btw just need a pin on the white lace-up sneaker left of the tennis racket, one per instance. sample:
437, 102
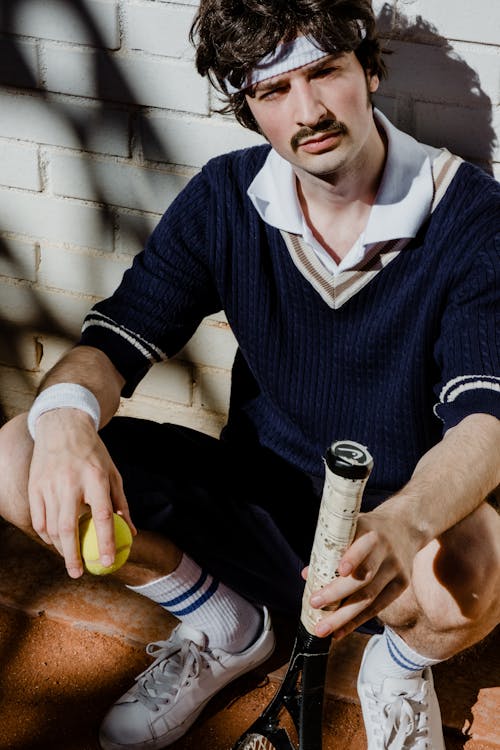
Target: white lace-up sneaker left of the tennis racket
169, 696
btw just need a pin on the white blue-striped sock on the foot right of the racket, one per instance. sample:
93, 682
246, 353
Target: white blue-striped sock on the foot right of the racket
392, 657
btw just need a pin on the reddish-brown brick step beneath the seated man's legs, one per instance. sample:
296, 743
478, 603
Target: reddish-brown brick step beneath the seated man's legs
468, 686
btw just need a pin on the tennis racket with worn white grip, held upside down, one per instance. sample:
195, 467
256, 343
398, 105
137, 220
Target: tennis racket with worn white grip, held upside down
293, 718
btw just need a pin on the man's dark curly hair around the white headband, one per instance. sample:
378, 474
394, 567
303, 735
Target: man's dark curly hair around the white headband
231, 36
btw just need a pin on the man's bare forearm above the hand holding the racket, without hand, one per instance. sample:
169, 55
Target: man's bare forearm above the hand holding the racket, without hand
452, 479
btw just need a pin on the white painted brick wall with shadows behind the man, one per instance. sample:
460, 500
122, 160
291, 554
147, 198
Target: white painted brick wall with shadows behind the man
103, 119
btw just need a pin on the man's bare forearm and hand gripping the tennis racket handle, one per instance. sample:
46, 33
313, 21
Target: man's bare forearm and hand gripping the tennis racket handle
450, 481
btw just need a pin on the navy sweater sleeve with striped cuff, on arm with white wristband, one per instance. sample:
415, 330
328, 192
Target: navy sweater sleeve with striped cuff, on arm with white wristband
165, 294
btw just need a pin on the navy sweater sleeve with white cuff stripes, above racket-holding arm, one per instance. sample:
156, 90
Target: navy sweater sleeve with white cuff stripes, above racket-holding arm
468, 349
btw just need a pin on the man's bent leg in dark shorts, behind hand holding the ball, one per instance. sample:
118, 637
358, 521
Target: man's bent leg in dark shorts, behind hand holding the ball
191, 495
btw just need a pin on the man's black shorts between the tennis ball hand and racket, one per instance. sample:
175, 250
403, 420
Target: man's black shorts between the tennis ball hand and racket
246, 516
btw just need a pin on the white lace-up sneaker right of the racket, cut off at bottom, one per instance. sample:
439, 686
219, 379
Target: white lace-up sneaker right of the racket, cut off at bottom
403, 714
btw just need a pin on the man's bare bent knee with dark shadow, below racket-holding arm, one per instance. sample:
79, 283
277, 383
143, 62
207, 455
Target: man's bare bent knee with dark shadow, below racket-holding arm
453, 600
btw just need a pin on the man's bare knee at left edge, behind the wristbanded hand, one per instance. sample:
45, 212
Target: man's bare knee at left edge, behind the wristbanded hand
16, 449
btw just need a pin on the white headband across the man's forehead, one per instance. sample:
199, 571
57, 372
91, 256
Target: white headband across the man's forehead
289, 56
